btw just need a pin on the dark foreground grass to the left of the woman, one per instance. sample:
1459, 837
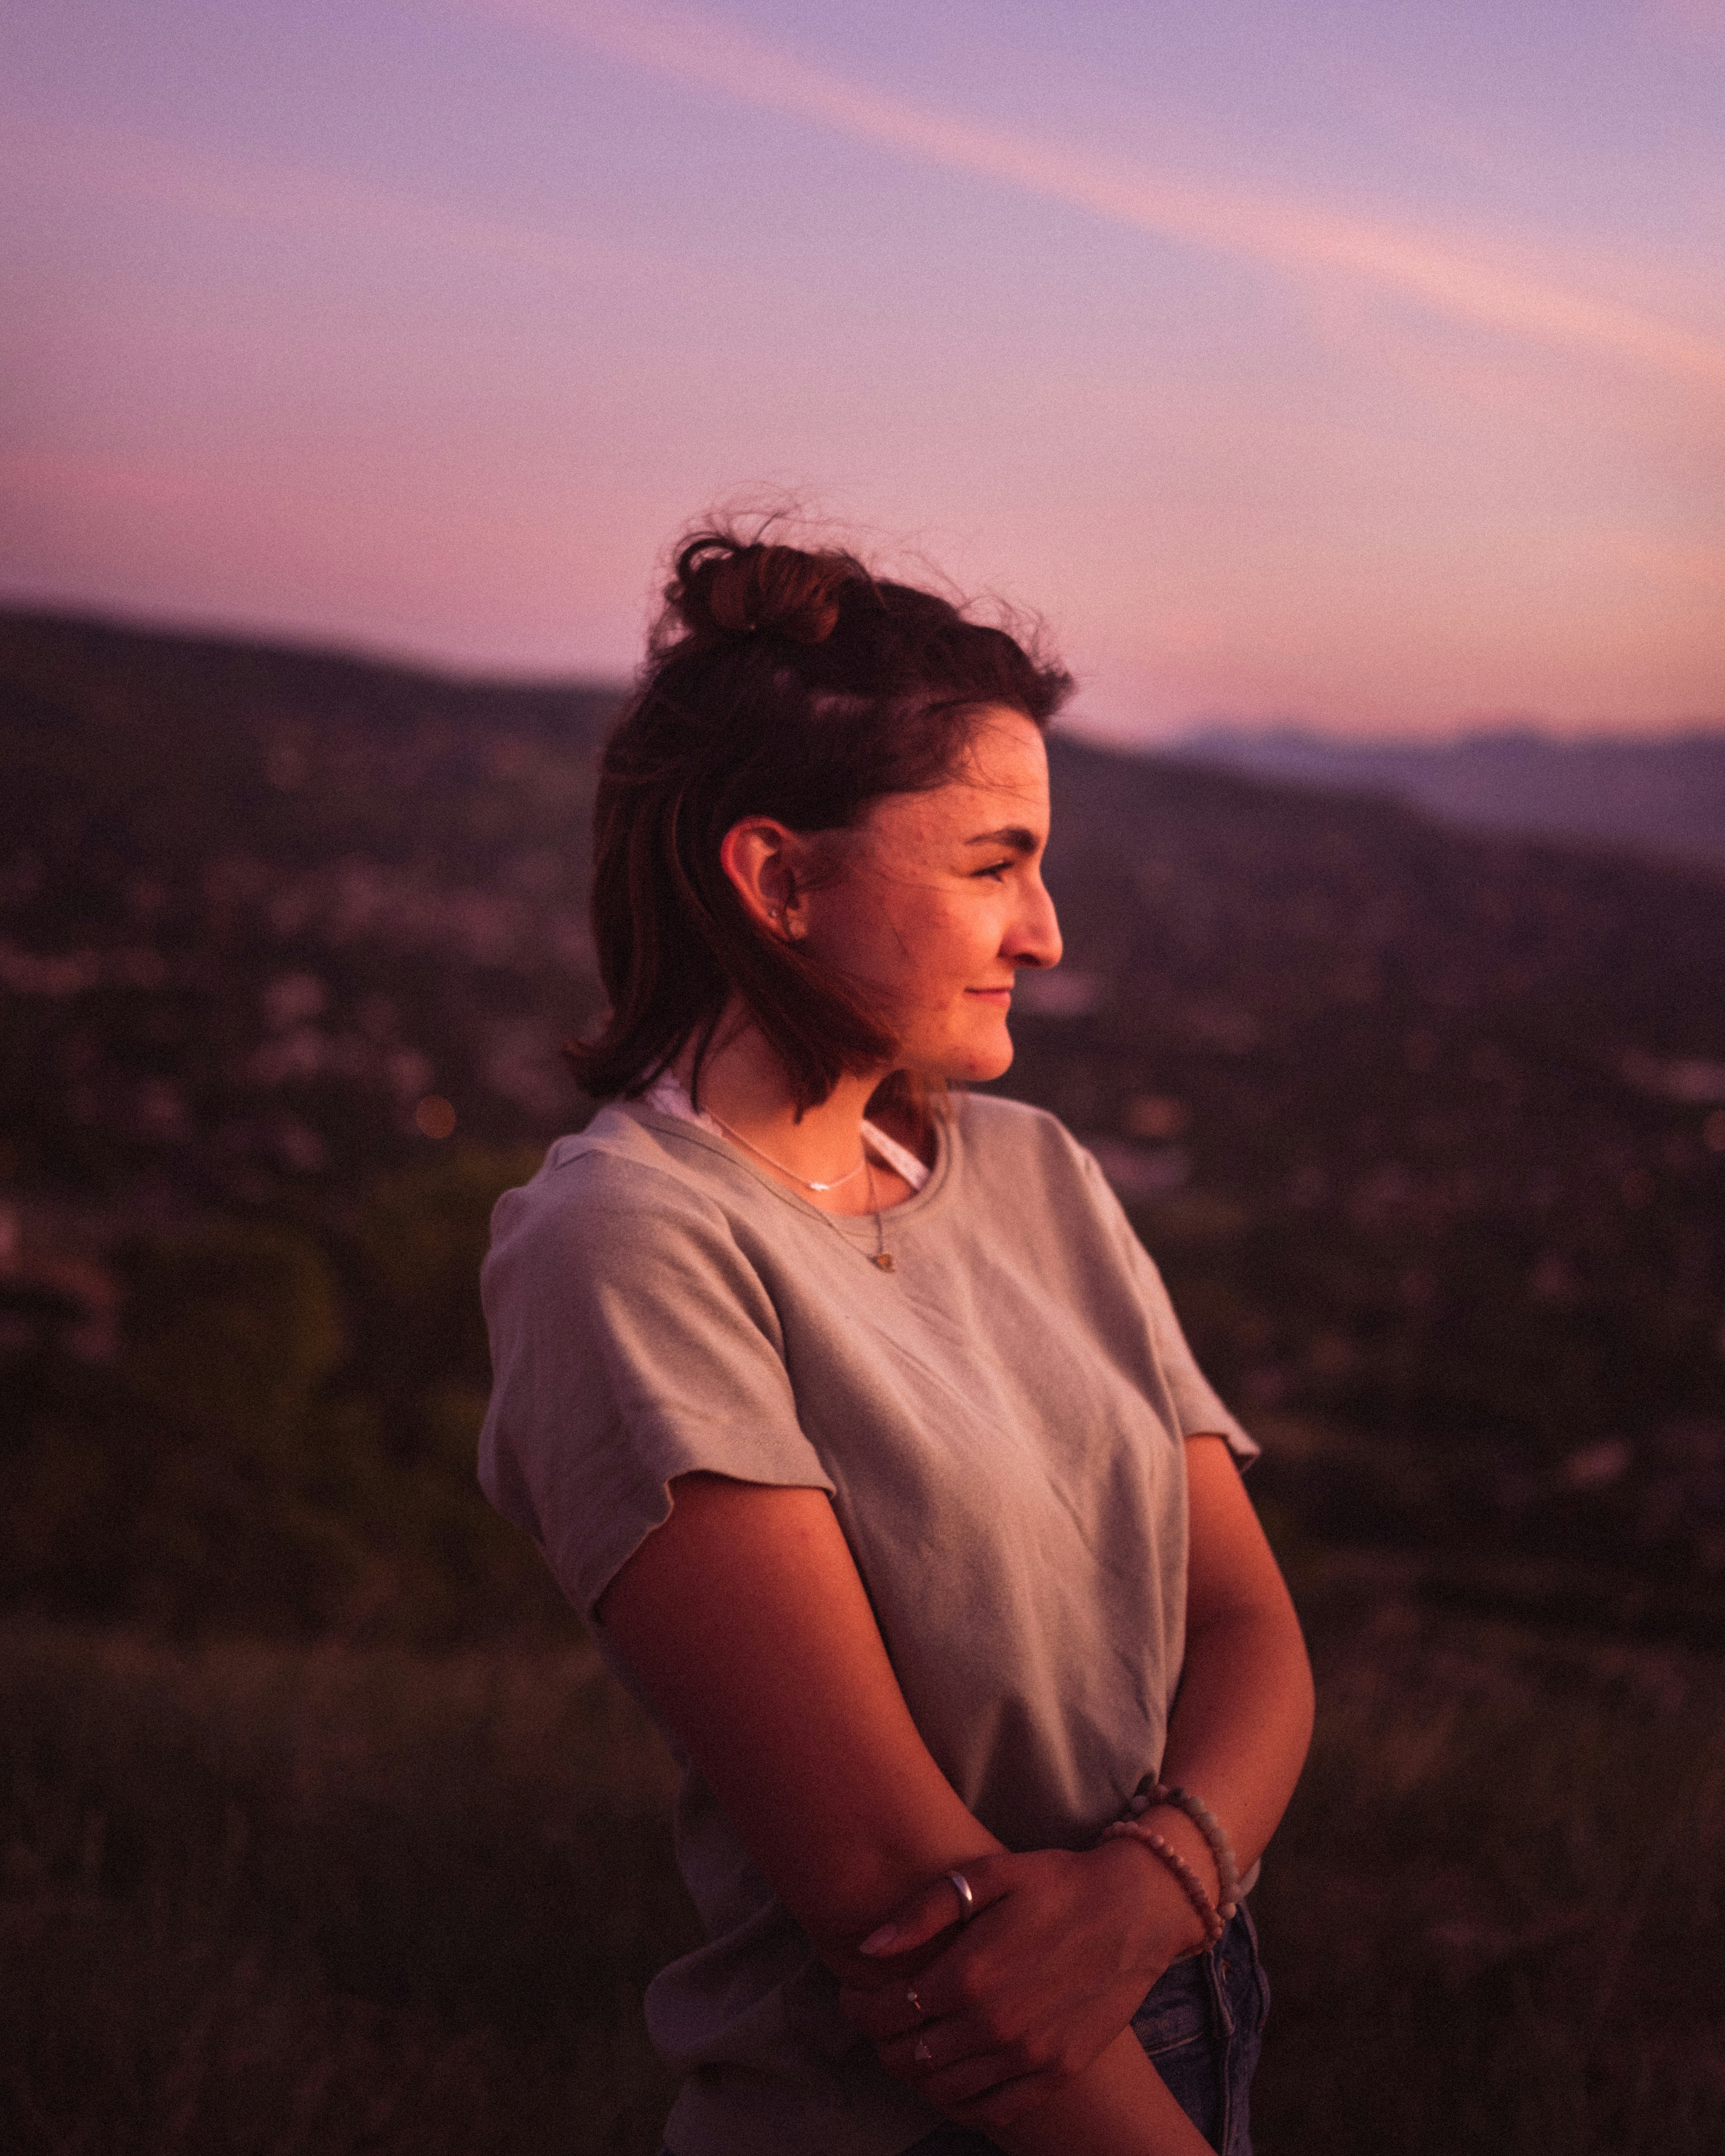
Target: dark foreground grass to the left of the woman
327, 1901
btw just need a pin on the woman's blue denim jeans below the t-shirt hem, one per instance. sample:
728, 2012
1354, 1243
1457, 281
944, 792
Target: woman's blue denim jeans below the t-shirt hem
1202, 2030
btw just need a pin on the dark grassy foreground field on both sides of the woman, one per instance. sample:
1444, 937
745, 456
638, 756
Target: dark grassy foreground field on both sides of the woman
271, 1898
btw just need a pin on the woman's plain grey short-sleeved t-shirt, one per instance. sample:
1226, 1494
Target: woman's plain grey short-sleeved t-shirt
999, 1424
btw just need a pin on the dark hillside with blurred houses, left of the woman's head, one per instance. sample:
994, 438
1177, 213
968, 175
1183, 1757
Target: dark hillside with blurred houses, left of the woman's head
258, 902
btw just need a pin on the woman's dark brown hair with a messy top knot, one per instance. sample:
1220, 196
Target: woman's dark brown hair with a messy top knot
797, 687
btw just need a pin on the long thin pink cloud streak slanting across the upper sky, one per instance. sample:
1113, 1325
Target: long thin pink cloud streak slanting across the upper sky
1452, 279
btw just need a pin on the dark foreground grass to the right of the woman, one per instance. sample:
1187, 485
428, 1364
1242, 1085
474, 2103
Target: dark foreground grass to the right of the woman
1493, 1913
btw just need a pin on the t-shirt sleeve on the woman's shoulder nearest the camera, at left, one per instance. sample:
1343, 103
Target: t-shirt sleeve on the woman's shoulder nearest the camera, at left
631, 1344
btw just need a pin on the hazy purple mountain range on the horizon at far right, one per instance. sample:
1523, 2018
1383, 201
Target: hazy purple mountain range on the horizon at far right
1664, 797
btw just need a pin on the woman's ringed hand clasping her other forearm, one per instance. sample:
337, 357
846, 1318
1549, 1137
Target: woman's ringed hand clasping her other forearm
1030, 1993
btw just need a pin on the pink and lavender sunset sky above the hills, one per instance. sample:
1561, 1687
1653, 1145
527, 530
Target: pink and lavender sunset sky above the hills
1340, 361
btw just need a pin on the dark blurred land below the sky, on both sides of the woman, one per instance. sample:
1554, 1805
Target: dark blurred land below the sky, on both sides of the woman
322, 1829
